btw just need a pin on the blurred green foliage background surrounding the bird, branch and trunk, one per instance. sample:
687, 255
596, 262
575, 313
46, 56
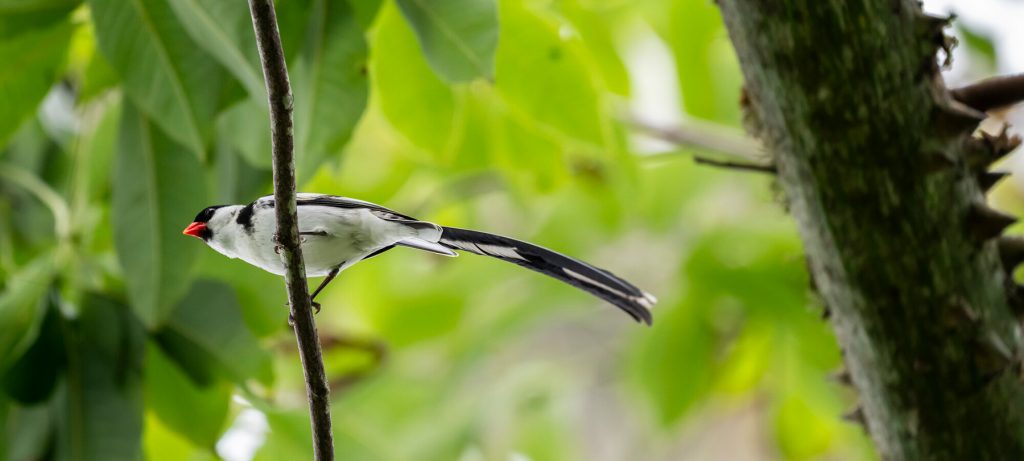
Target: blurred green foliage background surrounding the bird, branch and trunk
122, 340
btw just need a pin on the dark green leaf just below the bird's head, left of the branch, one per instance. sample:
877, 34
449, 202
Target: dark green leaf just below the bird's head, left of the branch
209, 322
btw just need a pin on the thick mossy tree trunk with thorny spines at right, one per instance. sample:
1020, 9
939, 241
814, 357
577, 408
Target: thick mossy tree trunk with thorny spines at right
880, 170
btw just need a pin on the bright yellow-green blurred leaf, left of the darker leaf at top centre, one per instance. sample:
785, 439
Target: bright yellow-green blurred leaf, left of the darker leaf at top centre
413, 99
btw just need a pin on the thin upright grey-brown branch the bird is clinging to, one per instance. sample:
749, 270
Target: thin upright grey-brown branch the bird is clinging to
280, 98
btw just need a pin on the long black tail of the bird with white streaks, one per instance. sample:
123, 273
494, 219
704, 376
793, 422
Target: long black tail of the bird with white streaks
574, 272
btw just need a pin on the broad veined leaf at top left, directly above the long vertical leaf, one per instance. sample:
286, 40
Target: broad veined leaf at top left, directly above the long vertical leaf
164, 72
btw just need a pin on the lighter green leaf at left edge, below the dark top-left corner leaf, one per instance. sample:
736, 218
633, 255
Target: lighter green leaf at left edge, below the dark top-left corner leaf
32, 63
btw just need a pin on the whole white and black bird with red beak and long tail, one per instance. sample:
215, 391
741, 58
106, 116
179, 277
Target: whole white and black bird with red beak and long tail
337, 232
